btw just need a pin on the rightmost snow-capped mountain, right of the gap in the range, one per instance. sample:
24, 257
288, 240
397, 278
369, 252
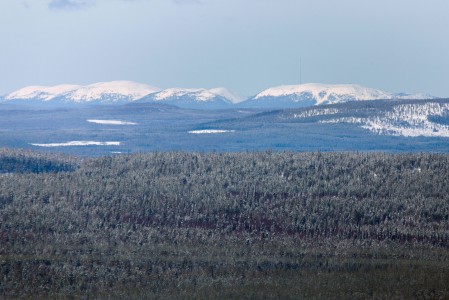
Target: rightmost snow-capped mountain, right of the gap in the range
318, 94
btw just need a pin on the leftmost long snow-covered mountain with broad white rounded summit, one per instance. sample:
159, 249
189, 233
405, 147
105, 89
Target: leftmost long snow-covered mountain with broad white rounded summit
102, 92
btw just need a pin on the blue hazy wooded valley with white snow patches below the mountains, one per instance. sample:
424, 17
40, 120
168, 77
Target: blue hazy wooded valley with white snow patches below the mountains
376, 125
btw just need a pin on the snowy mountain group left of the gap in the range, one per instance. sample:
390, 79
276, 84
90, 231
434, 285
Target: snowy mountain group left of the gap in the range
124, 92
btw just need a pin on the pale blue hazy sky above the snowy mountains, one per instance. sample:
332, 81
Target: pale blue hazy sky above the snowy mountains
244, 45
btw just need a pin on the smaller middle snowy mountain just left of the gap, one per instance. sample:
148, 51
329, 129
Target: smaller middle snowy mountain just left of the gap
194, 98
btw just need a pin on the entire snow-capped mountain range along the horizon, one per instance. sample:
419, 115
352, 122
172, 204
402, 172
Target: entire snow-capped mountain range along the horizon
119, 92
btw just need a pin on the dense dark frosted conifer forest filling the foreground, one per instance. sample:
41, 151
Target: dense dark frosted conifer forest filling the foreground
220, 225
